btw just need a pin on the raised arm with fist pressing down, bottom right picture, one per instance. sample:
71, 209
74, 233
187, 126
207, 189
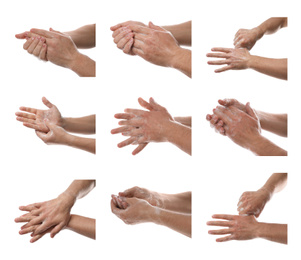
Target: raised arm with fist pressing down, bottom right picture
253, 202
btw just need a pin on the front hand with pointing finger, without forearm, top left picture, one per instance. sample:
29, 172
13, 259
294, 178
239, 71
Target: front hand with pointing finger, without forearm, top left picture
61, 50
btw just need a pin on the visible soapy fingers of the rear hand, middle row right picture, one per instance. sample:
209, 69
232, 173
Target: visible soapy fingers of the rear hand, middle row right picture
217, 123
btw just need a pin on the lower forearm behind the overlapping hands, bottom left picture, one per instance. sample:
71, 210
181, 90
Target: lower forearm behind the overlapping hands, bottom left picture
82, 225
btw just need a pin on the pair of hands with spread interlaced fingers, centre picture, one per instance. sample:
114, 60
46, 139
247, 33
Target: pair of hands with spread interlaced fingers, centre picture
143, 126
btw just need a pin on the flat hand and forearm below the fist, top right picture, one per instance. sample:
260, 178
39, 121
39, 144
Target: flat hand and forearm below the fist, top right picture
239, 59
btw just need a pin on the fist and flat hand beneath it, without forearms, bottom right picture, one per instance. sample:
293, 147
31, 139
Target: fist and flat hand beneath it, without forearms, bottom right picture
243, 226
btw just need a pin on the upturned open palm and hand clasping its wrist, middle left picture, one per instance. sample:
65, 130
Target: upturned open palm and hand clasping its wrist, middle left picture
48, 124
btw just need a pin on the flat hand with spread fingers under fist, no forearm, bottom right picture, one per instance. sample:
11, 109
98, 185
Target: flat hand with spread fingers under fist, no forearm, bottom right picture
239, 227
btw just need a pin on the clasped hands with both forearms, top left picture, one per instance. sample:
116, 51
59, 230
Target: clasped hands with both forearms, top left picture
61, 49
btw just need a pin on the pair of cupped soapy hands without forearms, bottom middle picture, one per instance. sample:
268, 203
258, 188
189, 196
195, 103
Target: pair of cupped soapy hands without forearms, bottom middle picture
136, 205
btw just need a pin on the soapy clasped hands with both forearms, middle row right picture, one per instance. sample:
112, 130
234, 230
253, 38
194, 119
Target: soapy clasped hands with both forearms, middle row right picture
245, 125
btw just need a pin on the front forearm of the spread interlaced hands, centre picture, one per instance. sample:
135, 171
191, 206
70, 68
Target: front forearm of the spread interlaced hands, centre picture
179, 135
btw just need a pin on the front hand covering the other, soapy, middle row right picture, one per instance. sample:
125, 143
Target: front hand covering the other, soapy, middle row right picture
242, 128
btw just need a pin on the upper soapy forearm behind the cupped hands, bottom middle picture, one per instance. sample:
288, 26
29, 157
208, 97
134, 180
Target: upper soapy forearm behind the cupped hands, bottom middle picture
180, 202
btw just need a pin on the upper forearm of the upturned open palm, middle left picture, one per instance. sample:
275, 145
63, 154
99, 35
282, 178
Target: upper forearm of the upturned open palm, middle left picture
81, 125
